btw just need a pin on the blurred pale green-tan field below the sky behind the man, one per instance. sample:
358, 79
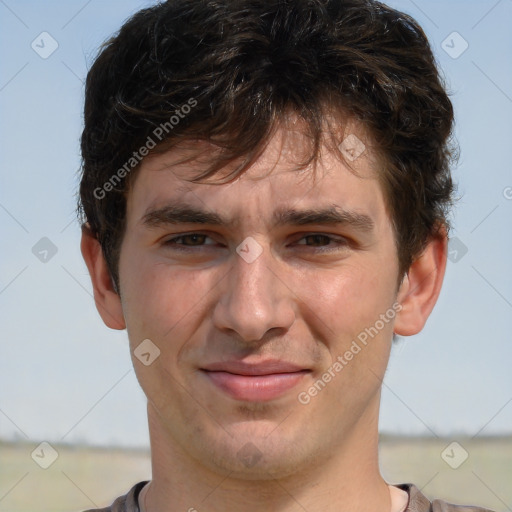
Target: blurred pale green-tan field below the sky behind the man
83, 478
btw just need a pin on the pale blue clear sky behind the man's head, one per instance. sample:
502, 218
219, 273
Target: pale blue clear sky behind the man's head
65, 377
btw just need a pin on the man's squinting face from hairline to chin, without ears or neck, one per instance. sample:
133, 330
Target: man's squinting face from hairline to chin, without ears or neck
272, 310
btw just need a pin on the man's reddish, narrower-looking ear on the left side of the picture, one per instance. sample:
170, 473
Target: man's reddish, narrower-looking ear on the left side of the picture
108, 301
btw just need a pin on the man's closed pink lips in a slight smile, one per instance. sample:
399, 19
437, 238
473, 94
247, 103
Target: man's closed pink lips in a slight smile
254, 382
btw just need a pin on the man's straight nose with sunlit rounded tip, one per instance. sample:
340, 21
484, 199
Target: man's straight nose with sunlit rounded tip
254, 299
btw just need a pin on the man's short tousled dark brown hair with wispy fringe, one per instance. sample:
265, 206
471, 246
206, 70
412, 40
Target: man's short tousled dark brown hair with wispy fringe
236, 68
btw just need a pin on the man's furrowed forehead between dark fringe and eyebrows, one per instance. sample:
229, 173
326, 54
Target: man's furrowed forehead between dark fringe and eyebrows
346, 175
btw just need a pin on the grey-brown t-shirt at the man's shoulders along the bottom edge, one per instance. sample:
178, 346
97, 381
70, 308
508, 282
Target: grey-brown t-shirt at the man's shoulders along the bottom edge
417, 502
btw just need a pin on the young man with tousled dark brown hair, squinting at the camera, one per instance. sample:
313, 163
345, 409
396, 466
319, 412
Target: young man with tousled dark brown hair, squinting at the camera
264, 194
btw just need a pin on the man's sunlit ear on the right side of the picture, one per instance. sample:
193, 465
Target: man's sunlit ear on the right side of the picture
421, 286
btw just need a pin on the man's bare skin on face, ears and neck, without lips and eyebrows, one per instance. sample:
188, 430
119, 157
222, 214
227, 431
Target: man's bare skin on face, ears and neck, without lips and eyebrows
304, 300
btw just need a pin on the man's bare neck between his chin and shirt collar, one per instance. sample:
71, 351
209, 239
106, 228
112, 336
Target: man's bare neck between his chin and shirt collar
347, 480
